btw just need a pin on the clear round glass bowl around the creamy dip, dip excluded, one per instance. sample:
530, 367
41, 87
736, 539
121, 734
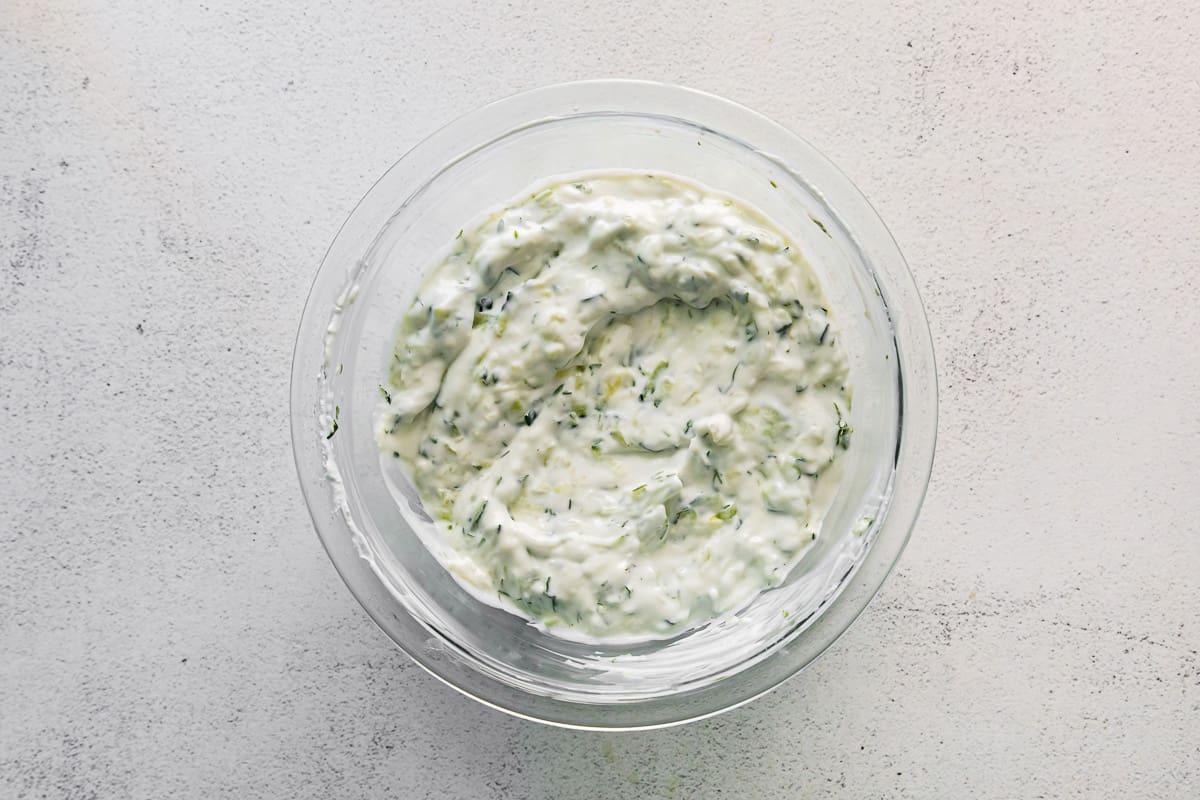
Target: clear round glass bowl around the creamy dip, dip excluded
363, 508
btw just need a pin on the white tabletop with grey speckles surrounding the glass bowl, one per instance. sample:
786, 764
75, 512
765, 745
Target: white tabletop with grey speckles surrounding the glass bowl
170, 178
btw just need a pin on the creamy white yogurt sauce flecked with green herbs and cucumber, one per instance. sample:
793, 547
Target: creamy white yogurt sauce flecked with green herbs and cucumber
623, 401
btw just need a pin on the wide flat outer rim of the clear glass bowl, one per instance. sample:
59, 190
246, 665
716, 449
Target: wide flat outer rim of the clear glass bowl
916, 370
